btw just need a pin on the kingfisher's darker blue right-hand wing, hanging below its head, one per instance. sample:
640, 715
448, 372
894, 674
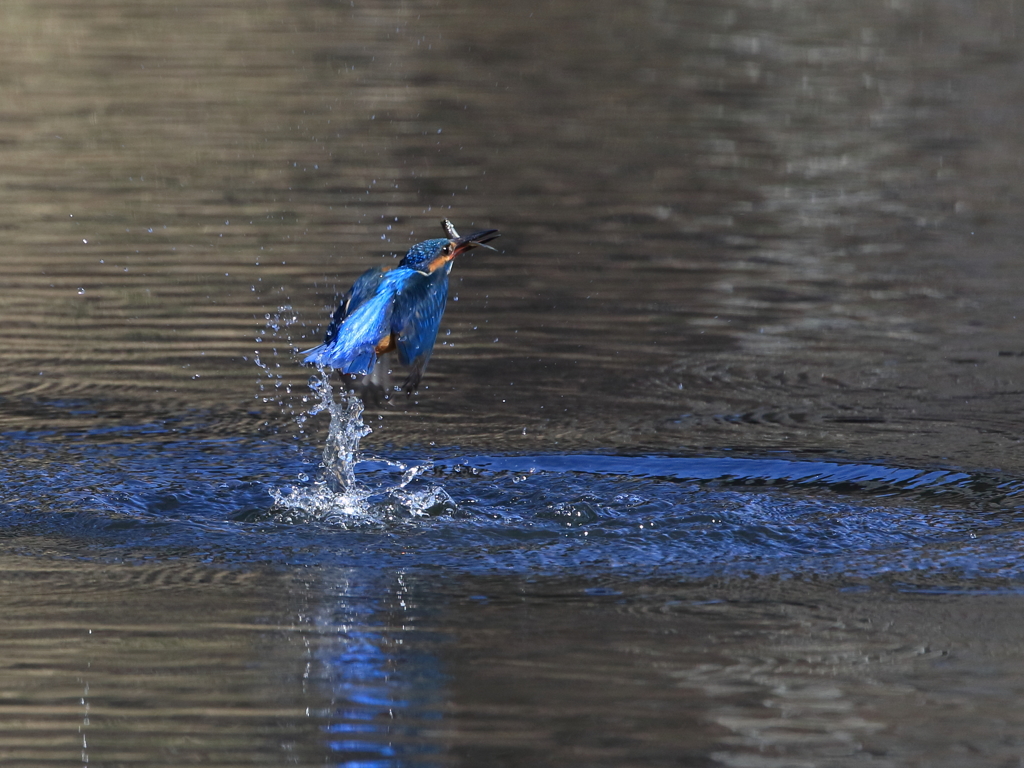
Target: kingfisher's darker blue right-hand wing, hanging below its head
418, 311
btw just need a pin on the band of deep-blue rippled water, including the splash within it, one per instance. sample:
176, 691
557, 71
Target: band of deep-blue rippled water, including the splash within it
636, 517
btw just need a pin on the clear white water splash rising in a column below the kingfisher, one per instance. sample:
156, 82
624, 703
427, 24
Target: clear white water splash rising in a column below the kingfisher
335, 496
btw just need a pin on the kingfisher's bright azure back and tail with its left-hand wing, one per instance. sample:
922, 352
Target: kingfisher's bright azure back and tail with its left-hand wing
359, 324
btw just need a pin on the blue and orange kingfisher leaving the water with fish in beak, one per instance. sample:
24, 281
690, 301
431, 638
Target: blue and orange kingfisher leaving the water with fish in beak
398, 309
